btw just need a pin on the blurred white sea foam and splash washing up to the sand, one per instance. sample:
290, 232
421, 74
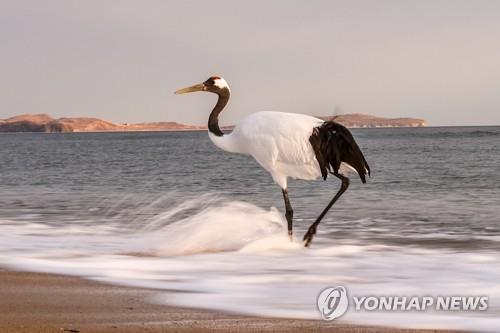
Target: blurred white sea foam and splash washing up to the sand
236, 257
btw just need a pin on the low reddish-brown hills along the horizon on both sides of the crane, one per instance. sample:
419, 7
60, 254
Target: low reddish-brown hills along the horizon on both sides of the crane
45, 123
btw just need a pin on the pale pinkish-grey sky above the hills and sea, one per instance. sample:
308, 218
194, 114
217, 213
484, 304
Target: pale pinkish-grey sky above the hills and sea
122, 60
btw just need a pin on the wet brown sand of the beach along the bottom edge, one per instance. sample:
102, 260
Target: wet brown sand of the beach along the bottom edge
34, 302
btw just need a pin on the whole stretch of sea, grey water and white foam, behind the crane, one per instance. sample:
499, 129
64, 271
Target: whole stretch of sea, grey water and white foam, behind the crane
172, 212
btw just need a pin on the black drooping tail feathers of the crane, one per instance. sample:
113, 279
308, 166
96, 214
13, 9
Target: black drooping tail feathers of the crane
334, 144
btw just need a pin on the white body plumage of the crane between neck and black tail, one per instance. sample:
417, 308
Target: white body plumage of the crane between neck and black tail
278, 141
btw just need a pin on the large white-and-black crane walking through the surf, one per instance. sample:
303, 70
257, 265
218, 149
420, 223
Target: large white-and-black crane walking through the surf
287, 145
